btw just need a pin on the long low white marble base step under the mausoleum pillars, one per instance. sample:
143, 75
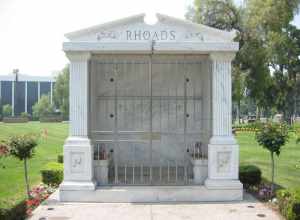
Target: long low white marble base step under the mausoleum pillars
129, 194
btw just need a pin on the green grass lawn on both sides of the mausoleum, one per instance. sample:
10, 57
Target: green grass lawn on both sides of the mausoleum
12, 187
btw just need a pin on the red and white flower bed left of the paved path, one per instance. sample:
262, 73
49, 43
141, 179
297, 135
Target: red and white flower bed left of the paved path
37, 195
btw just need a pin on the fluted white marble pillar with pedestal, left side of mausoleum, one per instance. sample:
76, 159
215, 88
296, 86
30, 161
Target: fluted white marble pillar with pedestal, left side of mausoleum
78, 150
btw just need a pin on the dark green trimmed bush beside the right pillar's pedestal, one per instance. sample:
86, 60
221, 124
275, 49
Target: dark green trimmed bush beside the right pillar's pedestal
250, 175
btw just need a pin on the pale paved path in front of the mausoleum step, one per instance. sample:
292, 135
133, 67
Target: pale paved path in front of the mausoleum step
249, 209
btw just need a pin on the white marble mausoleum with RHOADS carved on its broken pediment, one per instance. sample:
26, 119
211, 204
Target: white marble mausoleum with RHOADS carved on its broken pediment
150, 113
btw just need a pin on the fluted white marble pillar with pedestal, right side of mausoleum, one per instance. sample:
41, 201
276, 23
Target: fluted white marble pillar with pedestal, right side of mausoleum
223, 151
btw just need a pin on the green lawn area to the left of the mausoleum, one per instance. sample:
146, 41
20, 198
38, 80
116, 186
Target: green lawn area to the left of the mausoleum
12, 187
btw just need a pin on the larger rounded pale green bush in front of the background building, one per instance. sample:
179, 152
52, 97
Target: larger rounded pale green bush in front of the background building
43, 107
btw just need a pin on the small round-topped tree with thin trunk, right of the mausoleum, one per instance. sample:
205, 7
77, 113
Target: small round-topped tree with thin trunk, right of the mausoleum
272, 136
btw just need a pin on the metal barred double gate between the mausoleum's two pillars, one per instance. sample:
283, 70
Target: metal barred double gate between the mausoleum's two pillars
147, 117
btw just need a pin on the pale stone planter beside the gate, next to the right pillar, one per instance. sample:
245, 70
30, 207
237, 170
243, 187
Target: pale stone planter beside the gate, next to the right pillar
200, 170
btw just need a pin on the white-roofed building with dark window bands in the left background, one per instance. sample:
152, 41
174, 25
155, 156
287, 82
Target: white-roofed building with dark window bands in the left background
22, 93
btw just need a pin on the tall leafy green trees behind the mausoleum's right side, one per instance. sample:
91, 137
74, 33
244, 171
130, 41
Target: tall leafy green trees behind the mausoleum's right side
265, 41
